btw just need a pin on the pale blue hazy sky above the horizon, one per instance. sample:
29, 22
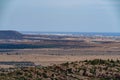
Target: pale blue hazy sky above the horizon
60, 15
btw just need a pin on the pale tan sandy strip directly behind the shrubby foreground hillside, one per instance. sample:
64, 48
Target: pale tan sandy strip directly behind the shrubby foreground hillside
44, 60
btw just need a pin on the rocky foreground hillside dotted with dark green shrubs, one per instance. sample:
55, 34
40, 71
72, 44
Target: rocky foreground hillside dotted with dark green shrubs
84, 70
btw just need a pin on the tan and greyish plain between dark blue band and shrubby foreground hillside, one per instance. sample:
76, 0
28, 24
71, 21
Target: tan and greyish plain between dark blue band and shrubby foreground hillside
49, 56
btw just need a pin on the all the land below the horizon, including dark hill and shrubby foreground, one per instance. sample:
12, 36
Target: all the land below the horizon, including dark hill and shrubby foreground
51, 57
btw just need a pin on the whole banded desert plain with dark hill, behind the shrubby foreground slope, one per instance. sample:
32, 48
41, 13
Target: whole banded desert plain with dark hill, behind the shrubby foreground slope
55, 49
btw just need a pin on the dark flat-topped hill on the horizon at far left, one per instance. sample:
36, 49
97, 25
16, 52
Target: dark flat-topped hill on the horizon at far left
9, 34
